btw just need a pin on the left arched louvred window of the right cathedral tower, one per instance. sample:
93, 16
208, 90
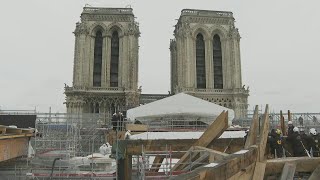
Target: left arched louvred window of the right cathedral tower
200, 62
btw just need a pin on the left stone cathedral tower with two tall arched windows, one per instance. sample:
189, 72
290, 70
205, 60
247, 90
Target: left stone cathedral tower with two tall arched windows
105, 72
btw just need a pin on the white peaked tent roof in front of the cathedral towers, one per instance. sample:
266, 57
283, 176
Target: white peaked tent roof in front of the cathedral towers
179, 104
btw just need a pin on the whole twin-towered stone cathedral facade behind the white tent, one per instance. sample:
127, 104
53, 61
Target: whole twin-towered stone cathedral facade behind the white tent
205, 61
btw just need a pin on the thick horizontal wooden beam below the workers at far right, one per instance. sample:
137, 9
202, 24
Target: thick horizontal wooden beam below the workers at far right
303, 164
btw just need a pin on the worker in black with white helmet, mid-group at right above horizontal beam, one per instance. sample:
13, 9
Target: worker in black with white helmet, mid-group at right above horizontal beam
297, 143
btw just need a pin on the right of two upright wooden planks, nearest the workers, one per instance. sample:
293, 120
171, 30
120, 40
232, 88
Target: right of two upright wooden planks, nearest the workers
264, 135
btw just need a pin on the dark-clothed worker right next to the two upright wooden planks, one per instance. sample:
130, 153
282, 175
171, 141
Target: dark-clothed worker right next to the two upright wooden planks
275, 143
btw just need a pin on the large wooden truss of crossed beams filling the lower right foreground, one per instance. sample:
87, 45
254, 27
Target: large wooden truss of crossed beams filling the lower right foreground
247, 164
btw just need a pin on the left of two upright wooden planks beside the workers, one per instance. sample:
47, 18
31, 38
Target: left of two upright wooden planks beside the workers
253, 132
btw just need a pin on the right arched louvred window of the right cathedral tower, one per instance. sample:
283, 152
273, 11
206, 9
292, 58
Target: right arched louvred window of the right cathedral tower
217, 63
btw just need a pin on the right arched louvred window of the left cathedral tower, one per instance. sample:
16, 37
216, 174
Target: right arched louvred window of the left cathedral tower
114, 67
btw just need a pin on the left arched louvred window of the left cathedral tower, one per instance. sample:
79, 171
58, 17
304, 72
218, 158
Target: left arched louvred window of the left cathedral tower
97, 64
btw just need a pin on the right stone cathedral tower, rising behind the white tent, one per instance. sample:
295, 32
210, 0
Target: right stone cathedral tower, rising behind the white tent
205, 59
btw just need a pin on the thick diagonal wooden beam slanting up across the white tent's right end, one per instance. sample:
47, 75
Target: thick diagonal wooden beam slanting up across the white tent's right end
213, 132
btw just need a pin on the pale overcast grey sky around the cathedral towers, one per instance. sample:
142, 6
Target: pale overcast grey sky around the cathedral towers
279, 49
